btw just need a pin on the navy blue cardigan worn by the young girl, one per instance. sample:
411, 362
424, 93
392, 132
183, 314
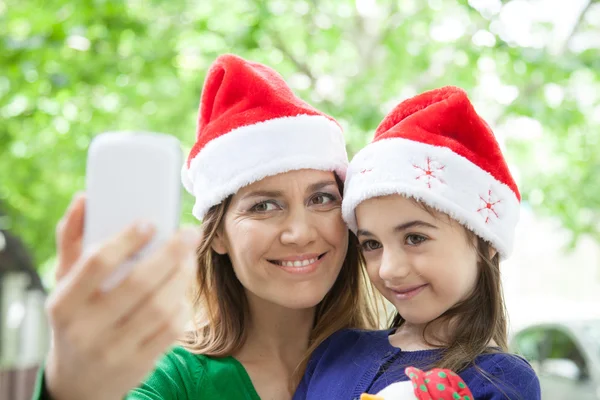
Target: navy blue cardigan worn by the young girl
352, 362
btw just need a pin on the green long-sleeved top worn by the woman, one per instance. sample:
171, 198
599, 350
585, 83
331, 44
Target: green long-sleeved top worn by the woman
181, 375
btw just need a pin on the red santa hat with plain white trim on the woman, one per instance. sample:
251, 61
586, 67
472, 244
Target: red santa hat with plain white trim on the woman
250, 126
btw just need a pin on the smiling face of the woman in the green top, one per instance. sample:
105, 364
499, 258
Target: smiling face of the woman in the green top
286, 238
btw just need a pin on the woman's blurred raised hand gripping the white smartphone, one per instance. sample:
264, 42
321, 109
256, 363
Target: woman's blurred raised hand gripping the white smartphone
104, 343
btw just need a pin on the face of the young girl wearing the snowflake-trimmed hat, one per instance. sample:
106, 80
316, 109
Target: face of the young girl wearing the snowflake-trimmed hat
423, 264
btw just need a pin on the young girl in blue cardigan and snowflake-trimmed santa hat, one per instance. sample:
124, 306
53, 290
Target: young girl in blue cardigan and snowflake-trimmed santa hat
435, 207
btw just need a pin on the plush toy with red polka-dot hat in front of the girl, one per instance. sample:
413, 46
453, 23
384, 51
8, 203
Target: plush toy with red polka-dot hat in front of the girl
437, 384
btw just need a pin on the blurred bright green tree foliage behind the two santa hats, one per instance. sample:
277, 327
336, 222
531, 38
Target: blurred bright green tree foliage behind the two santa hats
70, 70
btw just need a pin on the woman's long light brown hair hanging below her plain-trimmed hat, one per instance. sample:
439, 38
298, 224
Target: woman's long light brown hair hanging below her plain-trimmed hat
221, 308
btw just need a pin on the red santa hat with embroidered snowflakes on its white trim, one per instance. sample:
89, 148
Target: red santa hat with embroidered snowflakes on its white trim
436, 149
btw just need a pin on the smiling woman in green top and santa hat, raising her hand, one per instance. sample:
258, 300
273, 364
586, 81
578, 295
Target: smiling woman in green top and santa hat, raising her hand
278, 269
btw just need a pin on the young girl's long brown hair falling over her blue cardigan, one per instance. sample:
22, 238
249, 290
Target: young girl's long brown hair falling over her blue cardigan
477, 321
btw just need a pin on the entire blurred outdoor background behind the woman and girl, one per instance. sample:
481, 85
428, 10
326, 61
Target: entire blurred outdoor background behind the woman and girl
70, 70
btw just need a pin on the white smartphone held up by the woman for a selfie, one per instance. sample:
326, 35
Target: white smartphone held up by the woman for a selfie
131, 176
